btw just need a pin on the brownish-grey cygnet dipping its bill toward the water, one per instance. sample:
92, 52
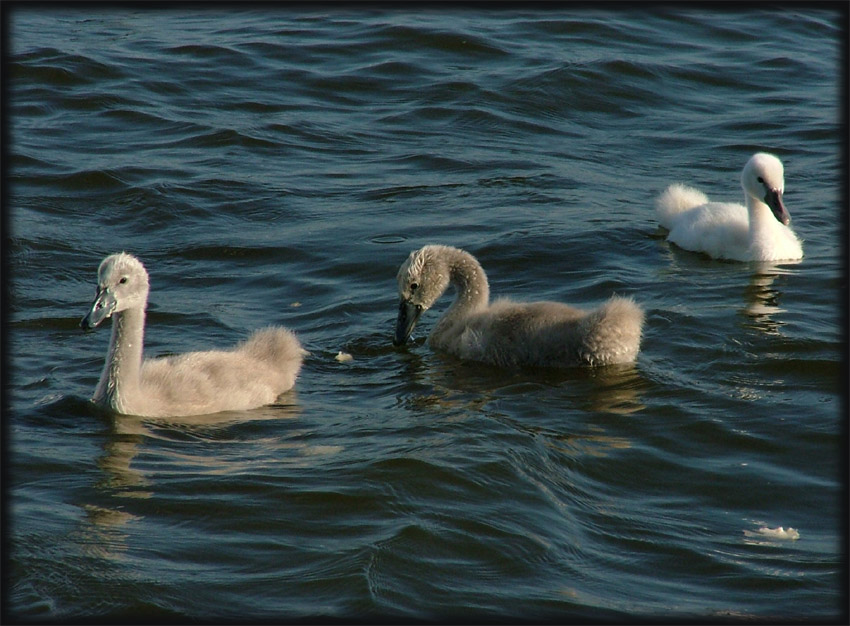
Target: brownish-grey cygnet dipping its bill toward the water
505, 333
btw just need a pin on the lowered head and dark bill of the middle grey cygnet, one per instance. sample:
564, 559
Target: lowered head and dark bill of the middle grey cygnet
422, 278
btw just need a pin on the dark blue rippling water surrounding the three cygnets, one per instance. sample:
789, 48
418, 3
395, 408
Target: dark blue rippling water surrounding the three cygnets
277, 166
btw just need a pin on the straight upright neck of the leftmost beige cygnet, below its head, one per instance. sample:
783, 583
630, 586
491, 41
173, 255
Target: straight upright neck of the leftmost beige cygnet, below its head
121, 373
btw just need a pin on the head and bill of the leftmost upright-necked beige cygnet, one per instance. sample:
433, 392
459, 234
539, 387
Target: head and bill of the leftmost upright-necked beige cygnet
122, 283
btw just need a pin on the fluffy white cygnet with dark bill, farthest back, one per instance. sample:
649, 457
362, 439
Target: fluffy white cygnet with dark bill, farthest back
757, 232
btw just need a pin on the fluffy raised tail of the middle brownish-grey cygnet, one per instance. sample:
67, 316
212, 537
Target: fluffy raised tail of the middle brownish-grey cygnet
612, 332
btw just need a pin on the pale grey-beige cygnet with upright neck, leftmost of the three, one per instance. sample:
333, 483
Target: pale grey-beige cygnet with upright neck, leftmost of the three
252, 374
